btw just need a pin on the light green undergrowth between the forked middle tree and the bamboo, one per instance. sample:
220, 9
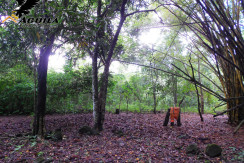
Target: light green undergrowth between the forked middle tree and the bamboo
137, 90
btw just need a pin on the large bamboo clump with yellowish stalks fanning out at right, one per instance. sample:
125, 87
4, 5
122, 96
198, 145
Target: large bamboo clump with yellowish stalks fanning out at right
217, 26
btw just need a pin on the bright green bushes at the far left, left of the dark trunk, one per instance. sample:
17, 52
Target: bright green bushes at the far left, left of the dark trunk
16, 91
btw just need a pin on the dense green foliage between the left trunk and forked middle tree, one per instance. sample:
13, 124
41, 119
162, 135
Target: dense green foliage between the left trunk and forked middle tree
70, 91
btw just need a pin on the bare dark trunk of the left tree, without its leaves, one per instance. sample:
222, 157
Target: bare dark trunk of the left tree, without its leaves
38, 125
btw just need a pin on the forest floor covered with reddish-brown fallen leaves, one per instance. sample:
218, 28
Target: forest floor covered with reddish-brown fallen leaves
145, 139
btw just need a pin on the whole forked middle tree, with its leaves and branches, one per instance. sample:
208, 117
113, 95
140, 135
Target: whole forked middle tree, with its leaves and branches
103, 47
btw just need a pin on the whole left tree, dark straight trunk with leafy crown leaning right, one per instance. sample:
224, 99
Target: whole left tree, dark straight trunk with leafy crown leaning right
67, 25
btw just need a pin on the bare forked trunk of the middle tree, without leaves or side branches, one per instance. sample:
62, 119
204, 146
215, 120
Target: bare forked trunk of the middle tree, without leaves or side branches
99, 99
